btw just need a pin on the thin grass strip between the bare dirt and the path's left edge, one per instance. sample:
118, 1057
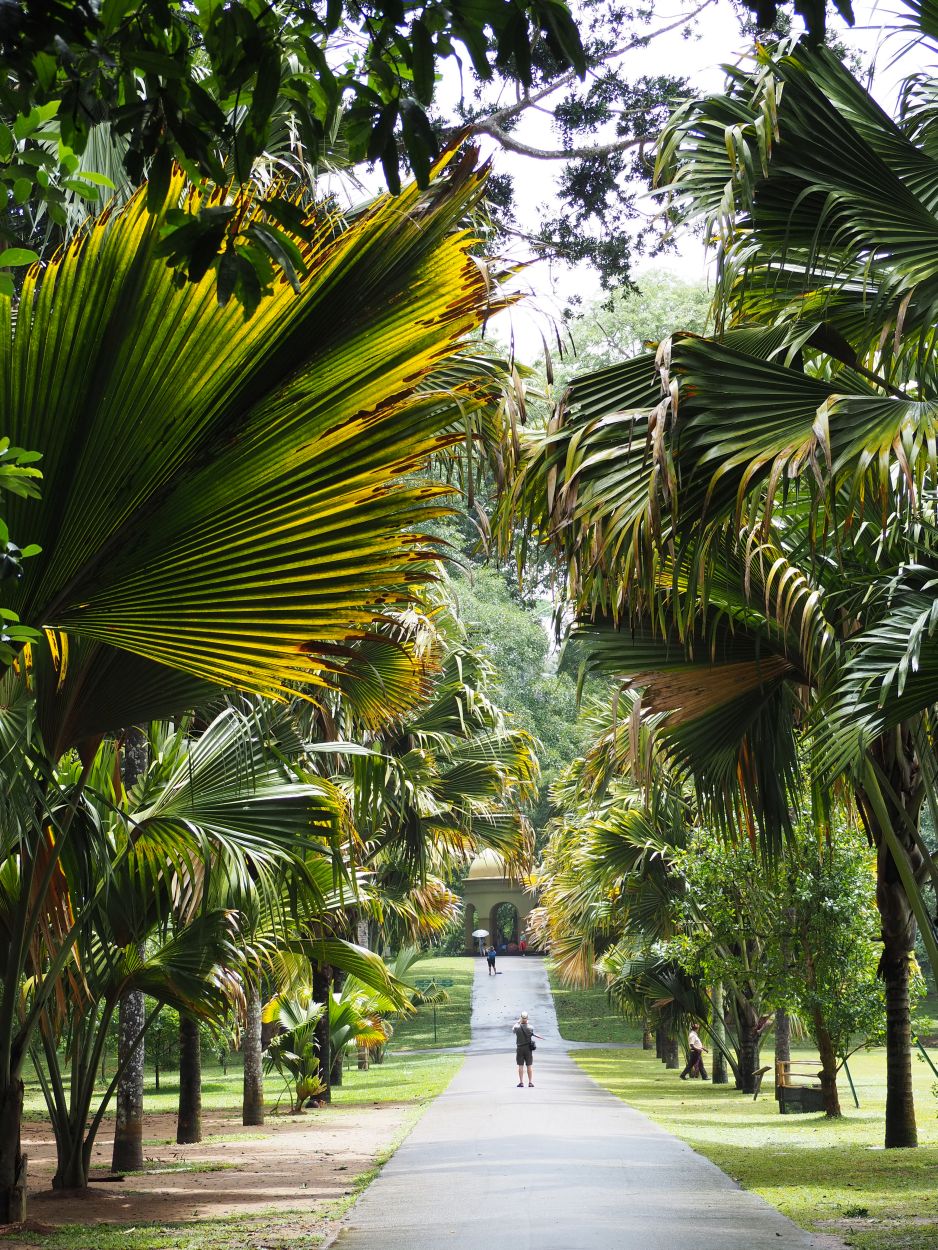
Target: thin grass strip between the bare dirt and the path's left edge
281, 1227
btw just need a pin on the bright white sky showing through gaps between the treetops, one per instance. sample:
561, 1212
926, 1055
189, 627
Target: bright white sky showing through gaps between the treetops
717, 41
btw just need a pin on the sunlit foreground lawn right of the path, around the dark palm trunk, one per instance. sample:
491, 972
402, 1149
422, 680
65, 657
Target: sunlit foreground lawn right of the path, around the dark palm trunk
830, 1177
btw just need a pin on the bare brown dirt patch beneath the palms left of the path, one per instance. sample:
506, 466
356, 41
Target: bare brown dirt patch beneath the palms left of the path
303, 1168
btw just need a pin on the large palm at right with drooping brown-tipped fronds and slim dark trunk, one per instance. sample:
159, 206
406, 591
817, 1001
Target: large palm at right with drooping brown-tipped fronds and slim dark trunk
746, 517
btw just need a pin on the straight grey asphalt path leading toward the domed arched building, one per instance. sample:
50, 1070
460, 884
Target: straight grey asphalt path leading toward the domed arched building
562, 1167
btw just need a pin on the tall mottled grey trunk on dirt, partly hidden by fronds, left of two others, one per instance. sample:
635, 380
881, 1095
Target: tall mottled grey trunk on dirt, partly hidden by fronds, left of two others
128, 1154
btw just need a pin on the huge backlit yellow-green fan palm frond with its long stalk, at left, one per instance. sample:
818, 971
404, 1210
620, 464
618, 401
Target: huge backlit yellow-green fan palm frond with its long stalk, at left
224, 499
